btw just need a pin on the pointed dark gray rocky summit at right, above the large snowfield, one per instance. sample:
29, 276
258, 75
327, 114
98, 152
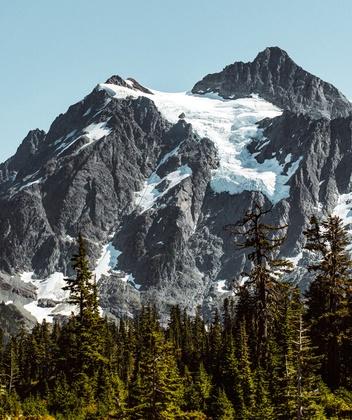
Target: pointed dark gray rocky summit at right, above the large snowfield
274, 76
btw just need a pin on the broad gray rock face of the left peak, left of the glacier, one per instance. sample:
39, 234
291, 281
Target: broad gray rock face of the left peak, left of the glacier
59, 191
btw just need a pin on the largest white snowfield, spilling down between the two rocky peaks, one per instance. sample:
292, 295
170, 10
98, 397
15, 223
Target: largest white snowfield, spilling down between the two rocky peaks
231, 125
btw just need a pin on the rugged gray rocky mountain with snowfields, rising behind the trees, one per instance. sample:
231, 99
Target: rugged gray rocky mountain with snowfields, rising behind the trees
151, 178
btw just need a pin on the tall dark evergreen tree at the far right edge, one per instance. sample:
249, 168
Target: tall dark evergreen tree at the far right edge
327, 297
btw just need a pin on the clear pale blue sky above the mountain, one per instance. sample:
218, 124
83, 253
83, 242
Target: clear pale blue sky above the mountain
54, 52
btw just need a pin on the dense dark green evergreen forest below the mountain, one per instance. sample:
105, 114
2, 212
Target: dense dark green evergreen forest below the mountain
270, 353
